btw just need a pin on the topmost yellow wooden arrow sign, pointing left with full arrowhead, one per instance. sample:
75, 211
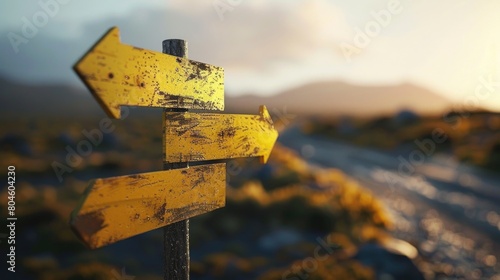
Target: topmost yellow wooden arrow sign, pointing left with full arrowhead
119, 74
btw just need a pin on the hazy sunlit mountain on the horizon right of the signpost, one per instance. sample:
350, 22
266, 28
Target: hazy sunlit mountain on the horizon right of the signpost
338, 98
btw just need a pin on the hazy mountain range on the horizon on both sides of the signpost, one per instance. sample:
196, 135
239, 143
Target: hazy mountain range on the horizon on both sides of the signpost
322, 98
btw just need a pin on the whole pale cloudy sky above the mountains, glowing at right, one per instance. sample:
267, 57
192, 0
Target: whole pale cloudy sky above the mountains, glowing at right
451, 47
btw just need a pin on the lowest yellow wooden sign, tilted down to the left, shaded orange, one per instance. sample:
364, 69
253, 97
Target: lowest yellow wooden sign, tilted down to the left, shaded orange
116, 208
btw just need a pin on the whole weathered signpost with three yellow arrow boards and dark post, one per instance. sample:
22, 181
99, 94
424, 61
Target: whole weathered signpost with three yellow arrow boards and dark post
113, 209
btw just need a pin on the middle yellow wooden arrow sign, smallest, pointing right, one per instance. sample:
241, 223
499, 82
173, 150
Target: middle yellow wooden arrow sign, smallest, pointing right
207, 136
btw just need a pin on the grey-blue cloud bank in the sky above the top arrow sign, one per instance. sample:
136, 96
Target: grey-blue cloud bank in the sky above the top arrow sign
253, 36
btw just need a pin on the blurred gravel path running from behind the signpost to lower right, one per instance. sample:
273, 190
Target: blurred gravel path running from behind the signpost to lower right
450, 212
